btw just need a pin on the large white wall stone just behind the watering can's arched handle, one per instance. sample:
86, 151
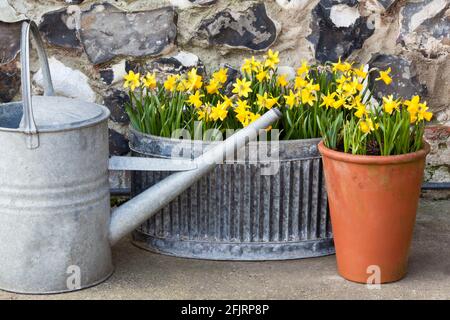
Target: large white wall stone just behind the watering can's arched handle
67, 82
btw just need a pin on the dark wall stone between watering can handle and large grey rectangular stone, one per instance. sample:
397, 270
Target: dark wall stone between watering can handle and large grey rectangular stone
57, 30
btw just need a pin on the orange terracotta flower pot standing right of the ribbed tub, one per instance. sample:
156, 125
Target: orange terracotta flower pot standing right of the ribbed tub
373, 202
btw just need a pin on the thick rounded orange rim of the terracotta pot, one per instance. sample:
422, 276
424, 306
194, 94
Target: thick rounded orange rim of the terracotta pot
364, 159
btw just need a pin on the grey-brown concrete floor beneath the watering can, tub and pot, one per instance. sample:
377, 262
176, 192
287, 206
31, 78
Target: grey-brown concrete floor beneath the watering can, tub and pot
143, 275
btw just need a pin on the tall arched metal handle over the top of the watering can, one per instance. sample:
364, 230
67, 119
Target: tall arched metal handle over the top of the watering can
29, 125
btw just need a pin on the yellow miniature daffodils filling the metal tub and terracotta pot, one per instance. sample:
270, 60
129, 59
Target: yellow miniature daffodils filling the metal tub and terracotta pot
333, 100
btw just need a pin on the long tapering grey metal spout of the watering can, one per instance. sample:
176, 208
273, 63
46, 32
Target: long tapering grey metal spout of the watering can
130, 215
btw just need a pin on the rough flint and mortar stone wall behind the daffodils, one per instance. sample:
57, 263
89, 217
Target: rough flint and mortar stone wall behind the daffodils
92, 44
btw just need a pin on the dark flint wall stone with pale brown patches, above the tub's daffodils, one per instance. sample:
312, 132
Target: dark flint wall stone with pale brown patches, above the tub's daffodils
250, 29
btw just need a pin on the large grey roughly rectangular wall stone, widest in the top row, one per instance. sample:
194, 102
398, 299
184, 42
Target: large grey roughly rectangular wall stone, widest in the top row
107, 32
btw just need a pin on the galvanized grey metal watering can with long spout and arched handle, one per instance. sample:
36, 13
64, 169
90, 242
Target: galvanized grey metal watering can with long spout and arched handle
56, 226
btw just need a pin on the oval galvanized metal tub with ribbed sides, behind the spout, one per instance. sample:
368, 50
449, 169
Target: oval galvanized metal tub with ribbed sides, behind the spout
236, 213
